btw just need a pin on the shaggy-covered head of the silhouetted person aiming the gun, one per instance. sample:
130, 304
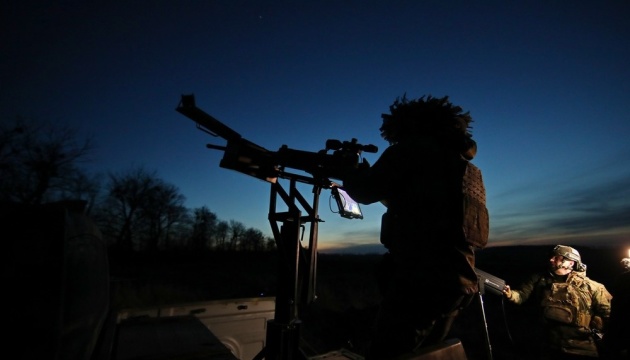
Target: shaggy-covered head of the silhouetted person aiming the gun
432, 117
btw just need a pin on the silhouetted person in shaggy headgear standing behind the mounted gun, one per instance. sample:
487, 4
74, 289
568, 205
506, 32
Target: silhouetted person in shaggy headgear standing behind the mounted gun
428, 273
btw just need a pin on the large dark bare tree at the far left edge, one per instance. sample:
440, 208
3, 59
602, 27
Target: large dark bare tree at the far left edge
39, 163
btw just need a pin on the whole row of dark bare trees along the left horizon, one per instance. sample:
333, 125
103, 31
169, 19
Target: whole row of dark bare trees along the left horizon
135, 209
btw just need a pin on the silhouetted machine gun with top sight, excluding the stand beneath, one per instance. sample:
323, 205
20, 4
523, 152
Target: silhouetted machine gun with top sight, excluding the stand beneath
244, 156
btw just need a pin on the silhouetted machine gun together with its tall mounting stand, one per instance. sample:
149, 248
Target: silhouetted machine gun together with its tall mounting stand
297, 264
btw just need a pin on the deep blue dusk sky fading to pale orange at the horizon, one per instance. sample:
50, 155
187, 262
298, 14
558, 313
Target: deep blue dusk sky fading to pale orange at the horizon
547, 84
